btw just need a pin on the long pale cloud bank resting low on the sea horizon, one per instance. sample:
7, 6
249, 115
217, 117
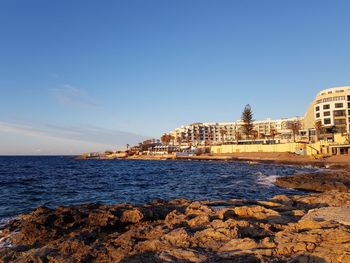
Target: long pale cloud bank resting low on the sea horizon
20, 138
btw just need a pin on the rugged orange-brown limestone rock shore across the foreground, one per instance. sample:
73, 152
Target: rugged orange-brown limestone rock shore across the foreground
308, 228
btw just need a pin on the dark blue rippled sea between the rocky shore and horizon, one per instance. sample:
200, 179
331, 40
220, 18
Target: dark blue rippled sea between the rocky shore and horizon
27, 182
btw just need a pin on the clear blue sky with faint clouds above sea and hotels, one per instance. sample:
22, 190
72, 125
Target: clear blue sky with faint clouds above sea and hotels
80, 76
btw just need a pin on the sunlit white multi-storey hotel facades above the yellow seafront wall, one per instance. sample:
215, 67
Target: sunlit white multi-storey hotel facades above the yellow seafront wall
330, 110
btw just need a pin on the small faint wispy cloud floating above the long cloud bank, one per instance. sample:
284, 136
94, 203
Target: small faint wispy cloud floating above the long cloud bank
73, 96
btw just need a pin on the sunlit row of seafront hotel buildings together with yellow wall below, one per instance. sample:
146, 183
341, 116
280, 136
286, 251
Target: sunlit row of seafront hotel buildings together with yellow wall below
324, 130
